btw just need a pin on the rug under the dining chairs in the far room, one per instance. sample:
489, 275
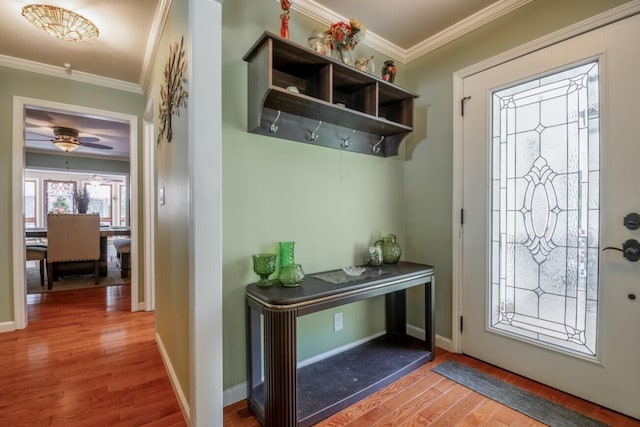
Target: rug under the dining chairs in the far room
66, 283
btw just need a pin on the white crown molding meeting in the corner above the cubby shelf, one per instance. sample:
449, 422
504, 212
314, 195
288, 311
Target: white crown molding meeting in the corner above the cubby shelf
326, 17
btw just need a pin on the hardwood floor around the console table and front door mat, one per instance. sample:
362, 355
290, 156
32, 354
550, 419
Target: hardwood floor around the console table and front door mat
426, 398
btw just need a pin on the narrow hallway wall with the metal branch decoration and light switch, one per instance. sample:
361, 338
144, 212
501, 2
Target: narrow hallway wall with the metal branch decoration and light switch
172, 218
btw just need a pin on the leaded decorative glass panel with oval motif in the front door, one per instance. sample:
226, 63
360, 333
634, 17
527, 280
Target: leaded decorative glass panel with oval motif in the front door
545, 210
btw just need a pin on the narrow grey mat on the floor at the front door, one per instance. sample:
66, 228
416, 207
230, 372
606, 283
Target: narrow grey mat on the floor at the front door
530, 404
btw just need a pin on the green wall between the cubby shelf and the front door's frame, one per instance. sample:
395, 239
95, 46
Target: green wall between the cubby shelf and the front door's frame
428, 169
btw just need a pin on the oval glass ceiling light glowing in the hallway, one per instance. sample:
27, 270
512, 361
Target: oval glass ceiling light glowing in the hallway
61, 23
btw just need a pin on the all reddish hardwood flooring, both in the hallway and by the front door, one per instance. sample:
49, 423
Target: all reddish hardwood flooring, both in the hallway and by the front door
86, 360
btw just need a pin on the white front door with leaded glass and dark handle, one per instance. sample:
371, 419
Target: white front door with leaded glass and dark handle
551, 154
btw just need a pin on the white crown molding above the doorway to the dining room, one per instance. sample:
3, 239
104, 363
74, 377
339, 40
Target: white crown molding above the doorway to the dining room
80, 76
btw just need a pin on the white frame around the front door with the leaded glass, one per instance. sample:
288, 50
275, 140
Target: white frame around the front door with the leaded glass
581, 27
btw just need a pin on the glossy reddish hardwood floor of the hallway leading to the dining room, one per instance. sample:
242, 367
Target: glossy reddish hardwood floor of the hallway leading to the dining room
85, 360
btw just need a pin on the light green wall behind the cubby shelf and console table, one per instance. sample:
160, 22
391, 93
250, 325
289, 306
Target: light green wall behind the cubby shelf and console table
332, 203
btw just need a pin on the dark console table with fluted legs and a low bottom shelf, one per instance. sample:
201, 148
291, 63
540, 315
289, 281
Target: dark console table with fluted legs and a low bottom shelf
285, 395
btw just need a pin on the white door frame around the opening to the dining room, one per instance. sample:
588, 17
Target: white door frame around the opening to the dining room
18, 166
